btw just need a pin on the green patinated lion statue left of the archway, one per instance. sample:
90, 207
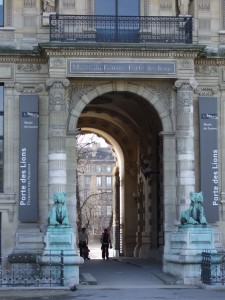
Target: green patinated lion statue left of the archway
58, 214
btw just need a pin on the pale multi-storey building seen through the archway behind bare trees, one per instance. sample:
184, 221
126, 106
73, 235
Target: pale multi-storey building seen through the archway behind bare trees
95, 184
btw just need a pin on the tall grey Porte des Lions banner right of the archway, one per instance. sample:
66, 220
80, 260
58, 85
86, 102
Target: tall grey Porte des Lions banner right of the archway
209, 156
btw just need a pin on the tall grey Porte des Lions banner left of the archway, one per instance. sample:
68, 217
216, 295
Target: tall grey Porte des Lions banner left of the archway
28, 159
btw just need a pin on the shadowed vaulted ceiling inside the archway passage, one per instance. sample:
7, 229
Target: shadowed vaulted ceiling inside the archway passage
123, 115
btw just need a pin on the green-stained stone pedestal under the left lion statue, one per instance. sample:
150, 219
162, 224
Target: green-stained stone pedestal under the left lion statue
60, 245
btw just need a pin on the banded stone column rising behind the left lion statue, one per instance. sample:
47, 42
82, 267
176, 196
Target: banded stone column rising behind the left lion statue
57, 136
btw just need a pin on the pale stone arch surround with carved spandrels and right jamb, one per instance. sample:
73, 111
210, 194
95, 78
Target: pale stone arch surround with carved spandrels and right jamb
157, 95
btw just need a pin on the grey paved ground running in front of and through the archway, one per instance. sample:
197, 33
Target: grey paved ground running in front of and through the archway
127, 279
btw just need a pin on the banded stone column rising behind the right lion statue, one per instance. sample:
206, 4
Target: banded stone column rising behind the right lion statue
184, 143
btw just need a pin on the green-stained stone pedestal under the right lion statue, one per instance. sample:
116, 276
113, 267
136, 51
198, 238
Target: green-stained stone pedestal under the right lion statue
187, 245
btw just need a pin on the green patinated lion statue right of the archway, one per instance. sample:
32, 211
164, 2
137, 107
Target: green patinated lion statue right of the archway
195, 213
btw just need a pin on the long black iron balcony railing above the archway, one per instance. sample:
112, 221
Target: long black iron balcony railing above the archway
118, 29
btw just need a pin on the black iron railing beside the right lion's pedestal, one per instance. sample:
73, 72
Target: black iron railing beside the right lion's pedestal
213, 268
